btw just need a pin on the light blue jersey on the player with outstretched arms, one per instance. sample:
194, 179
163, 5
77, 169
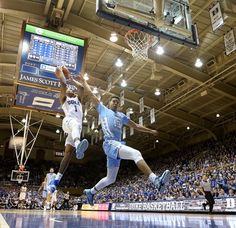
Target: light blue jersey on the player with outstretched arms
112, 122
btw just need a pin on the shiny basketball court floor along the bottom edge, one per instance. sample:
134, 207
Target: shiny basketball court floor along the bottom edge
70, 219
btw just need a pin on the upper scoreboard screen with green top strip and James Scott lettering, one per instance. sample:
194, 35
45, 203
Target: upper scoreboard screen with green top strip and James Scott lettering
43, 50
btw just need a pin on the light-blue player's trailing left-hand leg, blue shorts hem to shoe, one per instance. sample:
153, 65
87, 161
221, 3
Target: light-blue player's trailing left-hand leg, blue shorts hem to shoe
113, 166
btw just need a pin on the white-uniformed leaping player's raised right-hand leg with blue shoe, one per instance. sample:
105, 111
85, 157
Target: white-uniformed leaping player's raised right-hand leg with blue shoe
75, 128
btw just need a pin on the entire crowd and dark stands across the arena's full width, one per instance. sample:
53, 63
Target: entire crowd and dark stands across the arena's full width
217, 159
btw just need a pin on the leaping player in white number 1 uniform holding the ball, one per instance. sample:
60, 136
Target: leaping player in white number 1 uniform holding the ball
71, 124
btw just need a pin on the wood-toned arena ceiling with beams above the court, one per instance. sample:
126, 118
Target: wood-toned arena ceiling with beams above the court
190, 96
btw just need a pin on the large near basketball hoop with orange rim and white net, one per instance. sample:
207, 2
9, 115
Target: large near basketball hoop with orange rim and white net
140, 42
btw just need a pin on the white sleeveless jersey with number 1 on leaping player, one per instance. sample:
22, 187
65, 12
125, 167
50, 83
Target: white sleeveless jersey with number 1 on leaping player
73, 108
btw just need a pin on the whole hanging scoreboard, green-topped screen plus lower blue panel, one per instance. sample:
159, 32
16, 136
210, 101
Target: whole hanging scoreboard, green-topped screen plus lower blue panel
41, 51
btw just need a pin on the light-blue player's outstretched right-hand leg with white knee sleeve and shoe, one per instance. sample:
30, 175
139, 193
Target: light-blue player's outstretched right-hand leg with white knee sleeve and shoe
128, 153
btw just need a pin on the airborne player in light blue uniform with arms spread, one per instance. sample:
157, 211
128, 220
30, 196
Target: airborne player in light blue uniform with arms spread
112, 122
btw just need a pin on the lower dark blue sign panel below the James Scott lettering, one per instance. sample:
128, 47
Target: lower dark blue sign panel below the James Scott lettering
37, 99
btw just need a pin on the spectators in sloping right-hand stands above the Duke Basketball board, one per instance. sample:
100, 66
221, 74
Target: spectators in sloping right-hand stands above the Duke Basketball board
216, 159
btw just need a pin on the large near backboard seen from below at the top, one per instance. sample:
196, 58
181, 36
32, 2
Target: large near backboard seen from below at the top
169, 19
